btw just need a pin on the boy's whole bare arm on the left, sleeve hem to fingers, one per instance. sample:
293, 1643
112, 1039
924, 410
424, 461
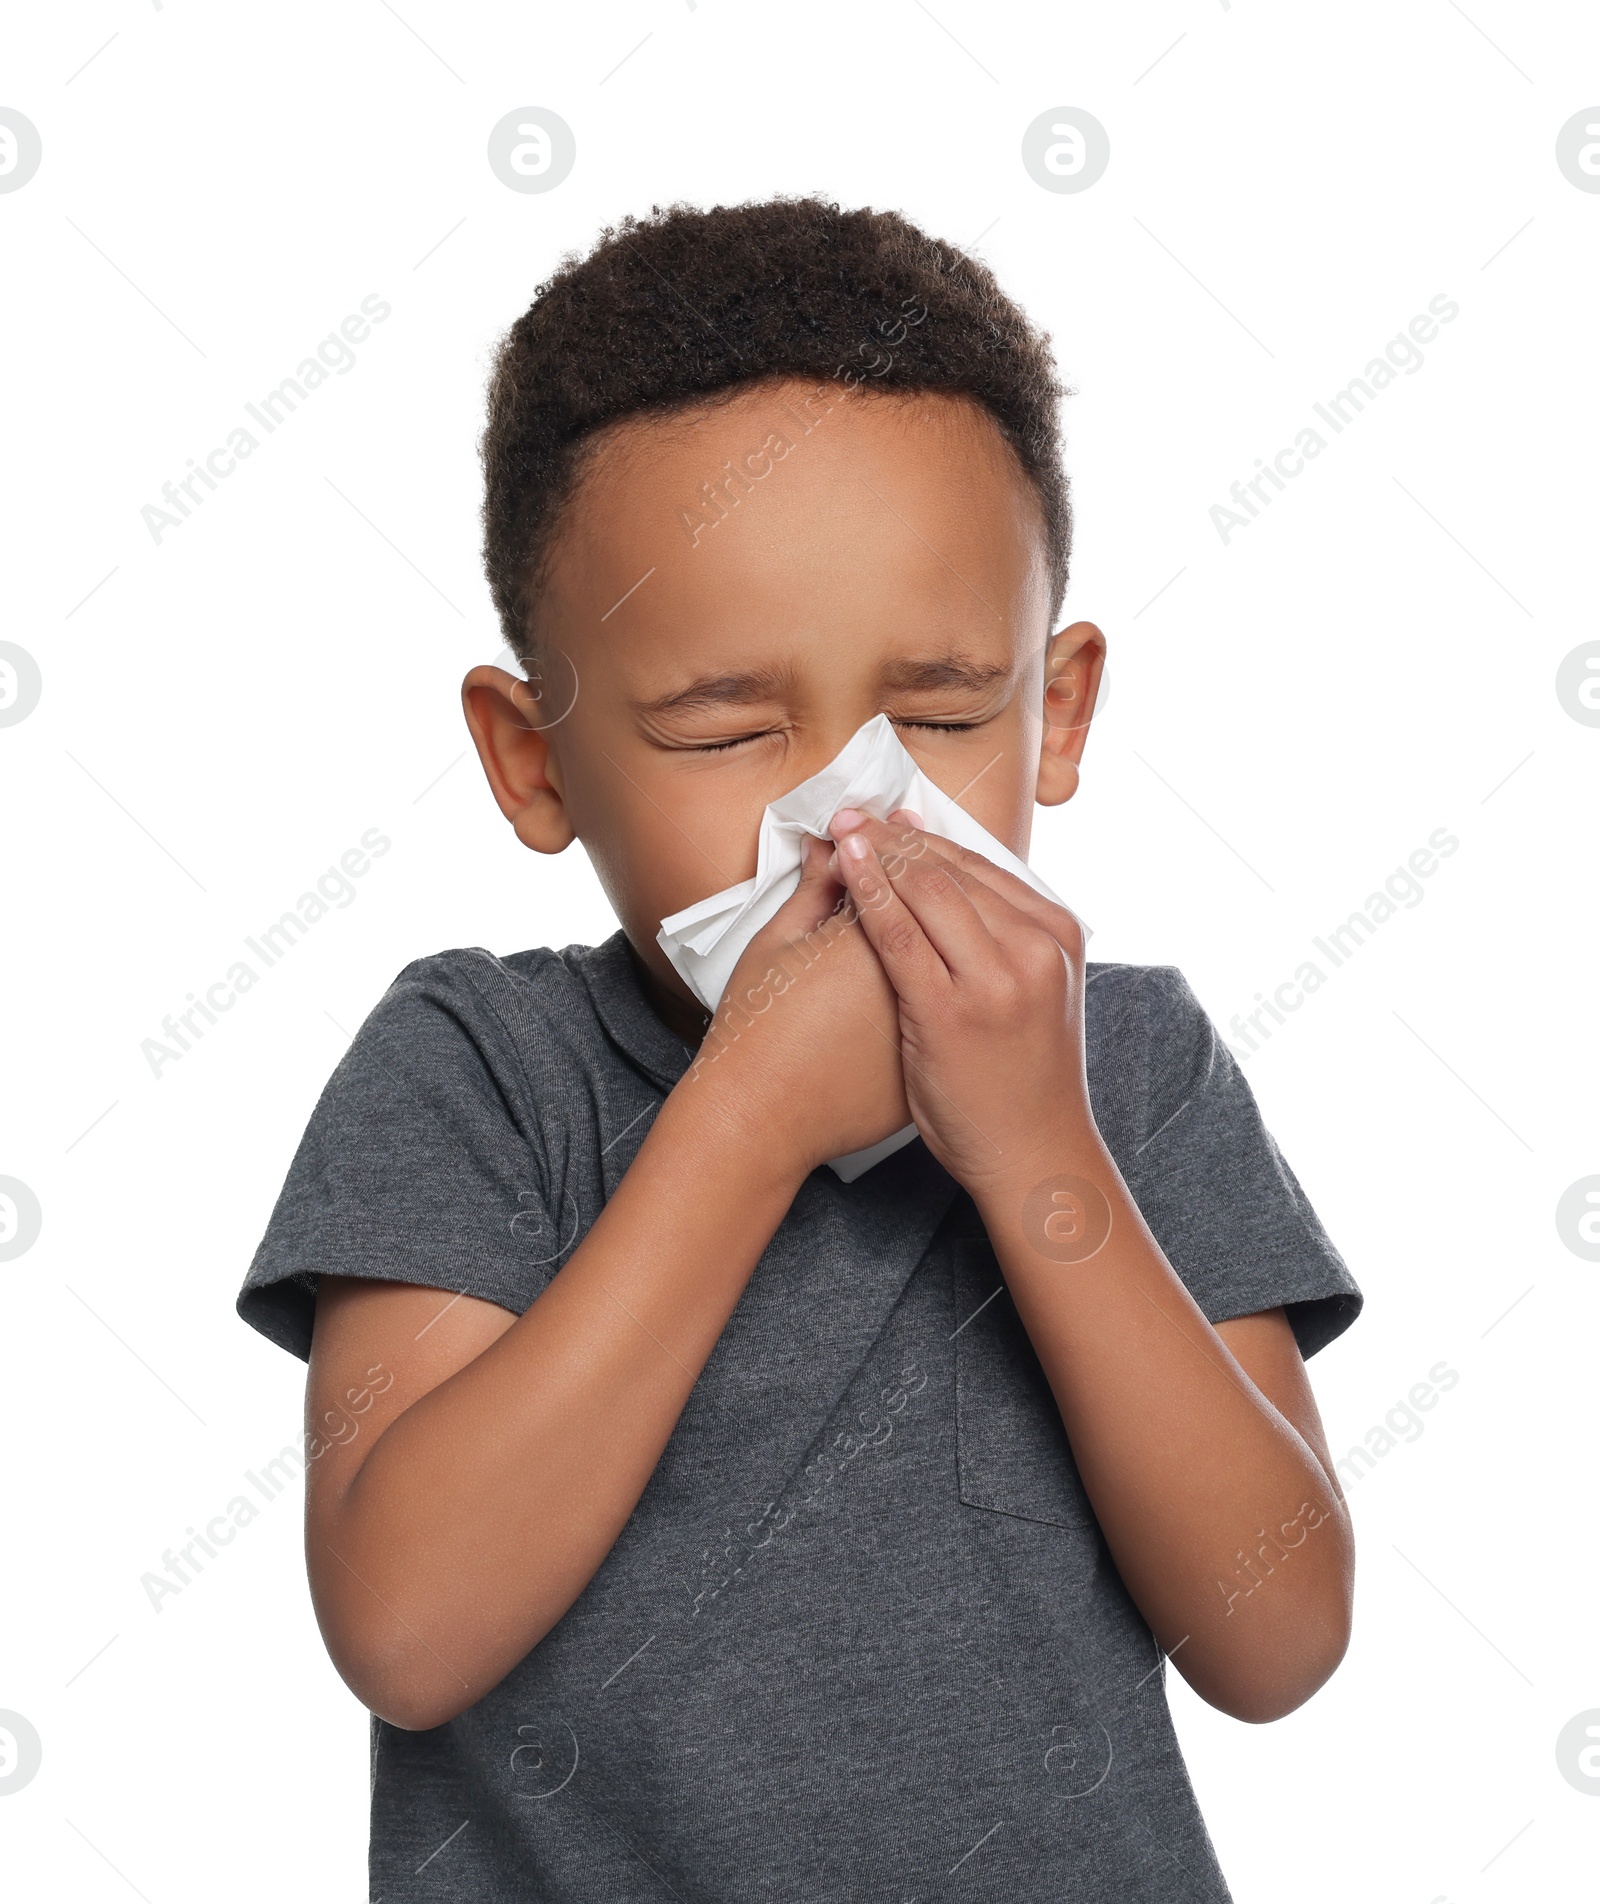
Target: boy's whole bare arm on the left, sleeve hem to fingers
485, 1486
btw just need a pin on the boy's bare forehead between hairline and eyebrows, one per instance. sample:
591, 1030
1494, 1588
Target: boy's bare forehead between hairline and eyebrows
793, 517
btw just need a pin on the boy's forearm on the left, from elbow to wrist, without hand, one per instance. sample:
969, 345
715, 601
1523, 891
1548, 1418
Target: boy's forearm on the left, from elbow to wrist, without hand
489, 1505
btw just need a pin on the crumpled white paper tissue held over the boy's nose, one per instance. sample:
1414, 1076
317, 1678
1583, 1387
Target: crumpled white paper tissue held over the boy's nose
875, 774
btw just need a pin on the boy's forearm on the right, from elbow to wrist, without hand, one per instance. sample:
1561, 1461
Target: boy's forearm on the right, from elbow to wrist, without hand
1224, 1524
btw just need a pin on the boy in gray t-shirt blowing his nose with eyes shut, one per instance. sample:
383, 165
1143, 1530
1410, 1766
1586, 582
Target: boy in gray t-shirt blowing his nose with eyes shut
717, 1528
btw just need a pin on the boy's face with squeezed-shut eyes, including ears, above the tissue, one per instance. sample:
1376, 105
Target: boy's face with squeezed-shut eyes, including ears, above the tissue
877, 555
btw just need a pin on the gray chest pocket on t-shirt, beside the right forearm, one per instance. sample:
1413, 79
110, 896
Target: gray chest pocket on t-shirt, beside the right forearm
1012, 1452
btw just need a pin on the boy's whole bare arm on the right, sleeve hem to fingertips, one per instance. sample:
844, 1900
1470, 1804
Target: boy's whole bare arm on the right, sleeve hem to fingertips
1199, 1448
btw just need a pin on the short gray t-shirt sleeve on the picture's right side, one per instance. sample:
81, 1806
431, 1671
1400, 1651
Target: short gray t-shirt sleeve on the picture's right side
1214, 1187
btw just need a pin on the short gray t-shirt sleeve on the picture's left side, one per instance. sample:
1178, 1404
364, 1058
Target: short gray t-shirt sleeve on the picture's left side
420, 1166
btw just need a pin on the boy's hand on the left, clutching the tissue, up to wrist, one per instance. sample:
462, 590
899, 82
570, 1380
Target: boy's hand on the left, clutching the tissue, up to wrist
805, 1048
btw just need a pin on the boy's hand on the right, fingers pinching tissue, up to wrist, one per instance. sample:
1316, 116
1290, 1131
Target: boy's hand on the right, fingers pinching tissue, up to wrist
991, 1001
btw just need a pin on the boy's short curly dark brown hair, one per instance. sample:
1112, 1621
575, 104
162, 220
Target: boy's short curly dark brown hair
690, 306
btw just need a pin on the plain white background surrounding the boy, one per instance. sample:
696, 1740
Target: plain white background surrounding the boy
1292, 713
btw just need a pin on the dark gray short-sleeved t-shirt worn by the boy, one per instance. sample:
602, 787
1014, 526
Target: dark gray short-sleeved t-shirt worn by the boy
862, 1636
